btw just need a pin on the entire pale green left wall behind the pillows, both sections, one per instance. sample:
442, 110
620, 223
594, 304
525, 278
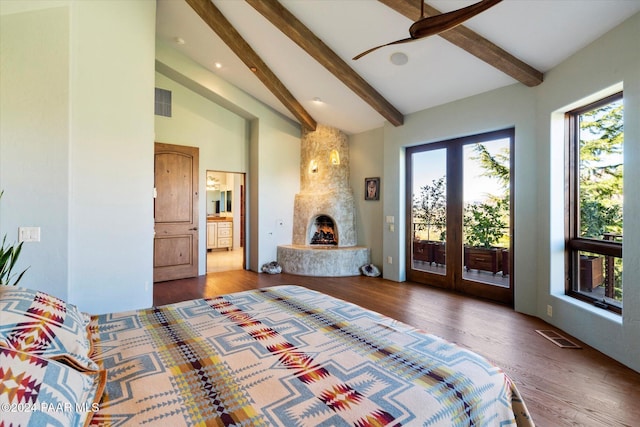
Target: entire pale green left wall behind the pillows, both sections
77, 153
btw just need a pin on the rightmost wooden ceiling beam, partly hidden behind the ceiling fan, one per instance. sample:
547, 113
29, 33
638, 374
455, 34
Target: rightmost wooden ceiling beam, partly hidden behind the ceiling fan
473, 43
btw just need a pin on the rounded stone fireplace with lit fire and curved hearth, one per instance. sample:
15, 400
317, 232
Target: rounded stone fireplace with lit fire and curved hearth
324, 230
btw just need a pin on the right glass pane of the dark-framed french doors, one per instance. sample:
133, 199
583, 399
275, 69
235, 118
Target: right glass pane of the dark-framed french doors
486, 212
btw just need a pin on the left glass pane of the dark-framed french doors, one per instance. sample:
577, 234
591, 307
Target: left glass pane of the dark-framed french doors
429, 211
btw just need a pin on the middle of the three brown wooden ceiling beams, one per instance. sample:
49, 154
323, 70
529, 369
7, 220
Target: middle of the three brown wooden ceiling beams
291, 26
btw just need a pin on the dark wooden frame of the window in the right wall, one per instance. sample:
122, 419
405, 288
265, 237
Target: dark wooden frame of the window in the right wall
574, 242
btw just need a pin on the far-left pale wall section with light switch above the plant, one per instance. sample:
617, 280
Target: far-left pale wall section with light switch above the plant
34, 139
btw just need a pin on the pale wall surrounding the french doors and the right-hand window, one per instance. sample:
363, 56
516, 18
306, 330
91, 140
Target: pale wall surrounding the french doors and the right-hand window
539, 174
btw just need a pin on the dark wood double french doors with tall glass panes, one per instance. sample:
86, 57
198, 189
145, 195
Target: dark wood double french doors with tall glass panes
459, 205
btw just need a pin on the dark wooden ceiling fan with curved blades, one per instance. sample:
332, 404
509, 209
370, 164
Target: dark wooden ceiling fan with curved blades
431, 25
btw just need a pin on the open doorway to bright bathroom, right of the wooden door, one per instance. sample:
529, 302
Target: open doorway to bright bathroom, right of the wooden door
225, 207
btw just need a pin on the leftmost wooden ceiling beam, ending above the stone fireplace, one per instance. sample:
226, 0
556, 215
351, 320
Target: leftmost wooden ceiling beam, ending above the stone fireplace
212, 16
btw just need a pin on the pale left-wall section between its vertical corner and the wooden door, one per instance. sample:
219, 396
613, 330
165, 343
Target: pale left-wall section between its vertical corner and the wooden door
111, 152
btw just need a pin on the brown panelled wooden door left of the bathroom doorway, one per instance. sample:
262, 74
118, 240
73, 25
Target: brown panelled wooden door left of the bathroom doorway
175, 247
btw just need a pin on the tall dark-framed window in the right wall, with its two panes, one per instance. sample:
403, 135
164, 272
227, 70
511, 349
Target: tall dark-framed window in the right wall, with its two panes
594, 203
